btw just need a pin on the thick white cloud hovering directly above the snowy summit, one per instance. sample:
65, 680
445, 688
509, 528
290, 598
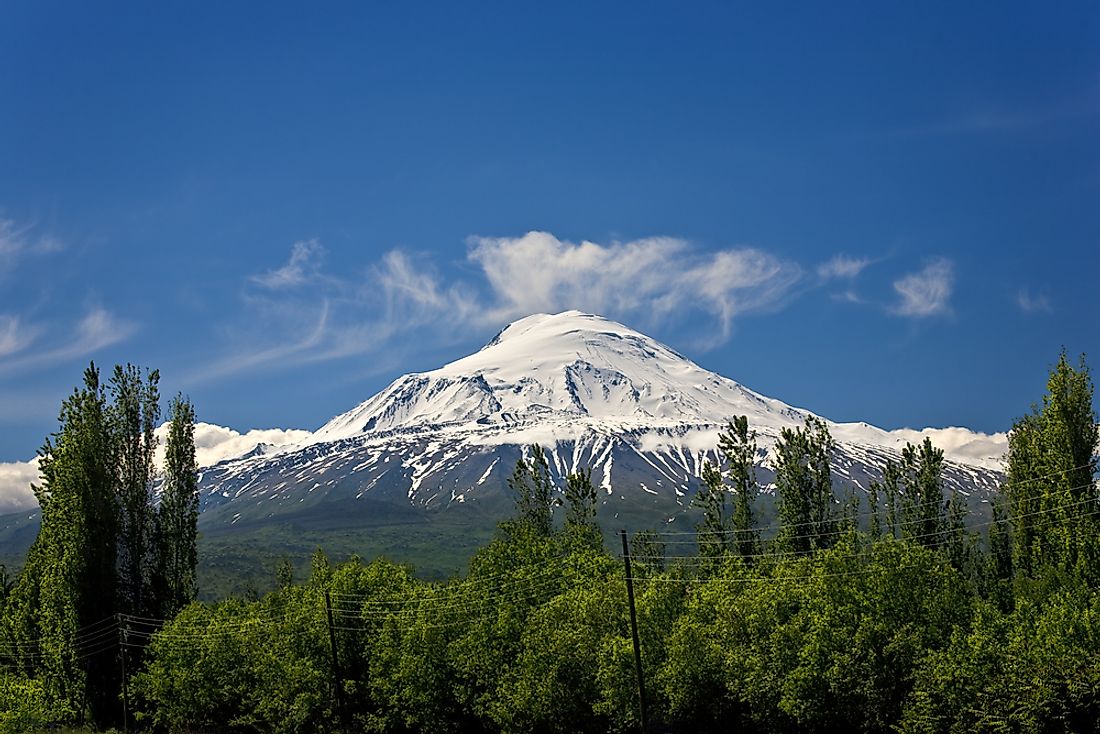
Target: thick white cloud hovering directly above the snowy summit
643, 279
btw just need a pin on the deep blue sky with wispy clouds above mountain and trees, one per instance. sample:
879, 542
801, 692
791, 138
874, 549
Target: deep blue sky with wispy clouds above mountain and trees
879, 212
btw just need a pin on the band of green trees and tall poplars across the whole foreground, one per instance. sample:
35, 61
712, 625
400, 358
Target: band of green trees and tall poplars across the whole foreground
896, 612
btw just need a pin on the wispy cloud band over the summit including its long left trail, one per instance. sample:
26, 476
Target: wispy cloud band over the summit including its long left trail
647, 280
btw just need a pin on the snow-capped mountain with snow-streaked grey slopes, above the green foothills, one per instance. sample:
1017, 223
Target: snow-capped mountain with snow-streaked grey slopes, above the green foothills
595, 393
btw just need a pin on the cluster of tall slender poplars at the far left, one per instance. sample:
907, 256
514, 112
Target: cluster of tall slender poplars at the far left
108, 546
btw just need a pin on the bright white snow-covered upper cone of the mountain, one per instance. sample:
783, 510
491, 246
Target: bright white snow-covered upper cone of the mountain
551, 378
